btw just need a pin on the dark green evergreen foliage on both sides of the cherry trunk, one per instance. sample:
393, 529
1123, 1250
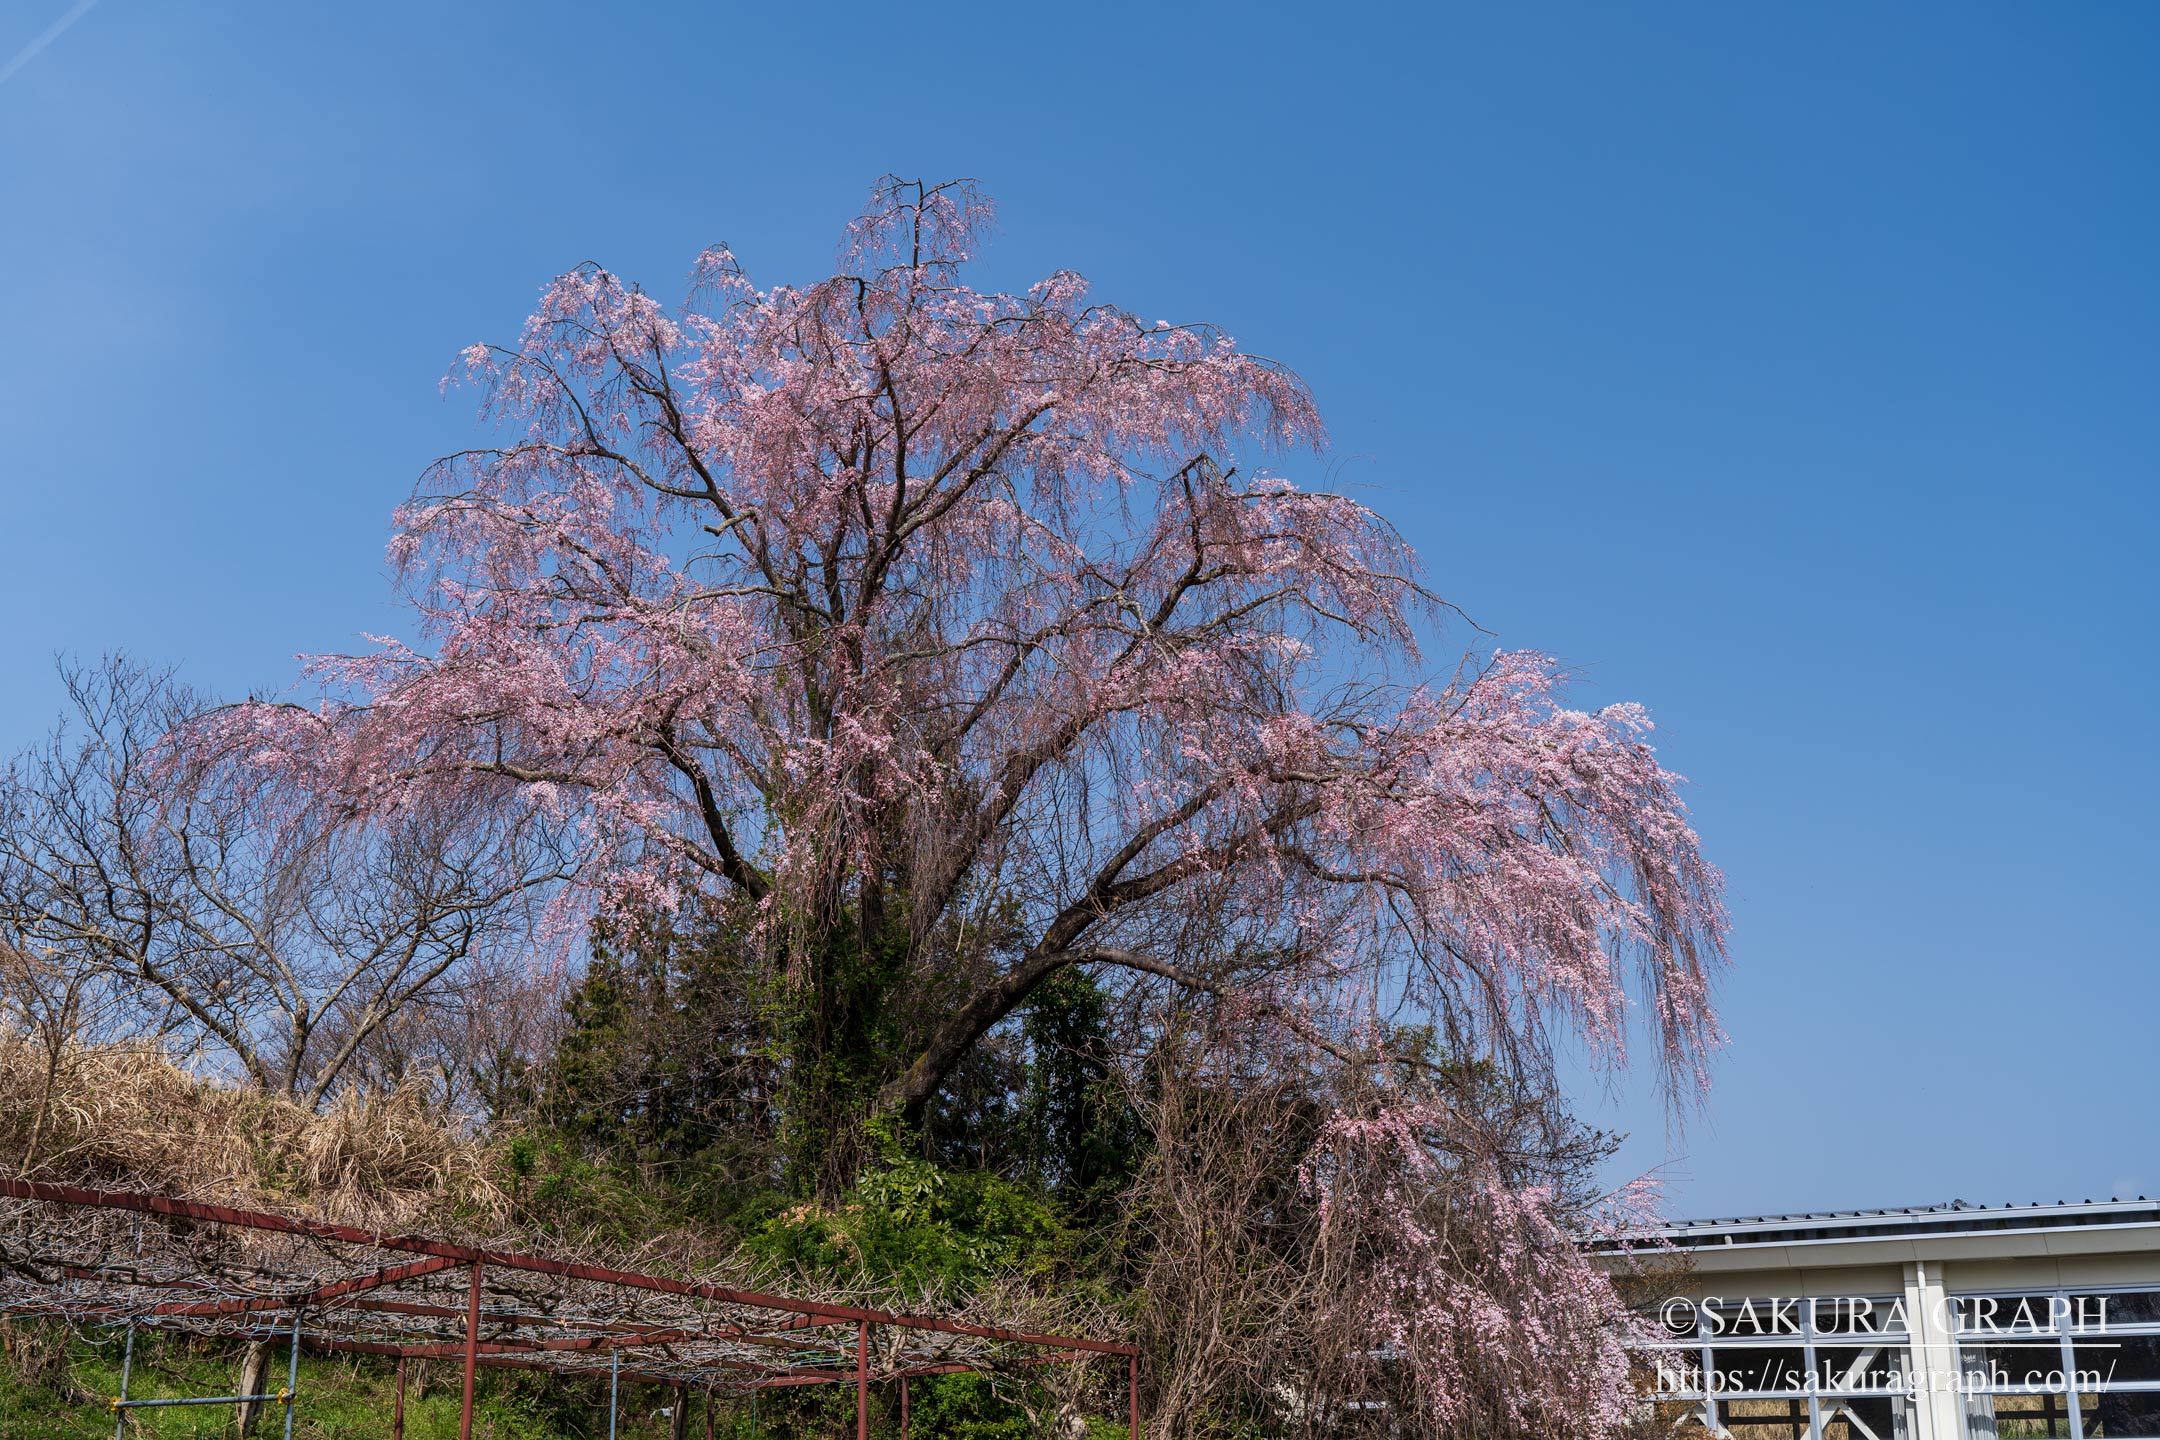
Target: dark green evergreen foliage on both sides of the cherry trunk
684, 1072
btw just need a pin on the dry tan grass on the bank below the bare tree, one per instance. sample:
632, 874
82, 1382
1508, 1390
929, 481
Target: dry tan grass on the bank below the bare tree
124, 1117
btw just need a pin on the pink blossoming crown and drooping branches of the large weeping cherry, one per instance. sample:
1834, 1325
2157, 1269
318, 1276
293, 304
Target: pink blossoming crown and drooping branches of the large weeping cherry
954, 614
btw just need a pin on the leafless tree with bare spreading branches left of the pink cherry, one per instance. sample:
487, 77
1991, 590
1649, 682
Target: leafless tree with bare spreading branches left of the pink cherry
217, 901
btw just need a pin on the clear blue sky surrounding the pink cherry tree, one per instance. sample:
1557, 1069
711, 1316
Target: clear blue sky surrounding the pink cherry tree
1792, 372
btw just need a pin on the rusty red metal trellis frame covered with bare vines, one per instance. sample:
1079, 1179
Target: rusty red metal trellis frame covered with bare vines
241, 1275
